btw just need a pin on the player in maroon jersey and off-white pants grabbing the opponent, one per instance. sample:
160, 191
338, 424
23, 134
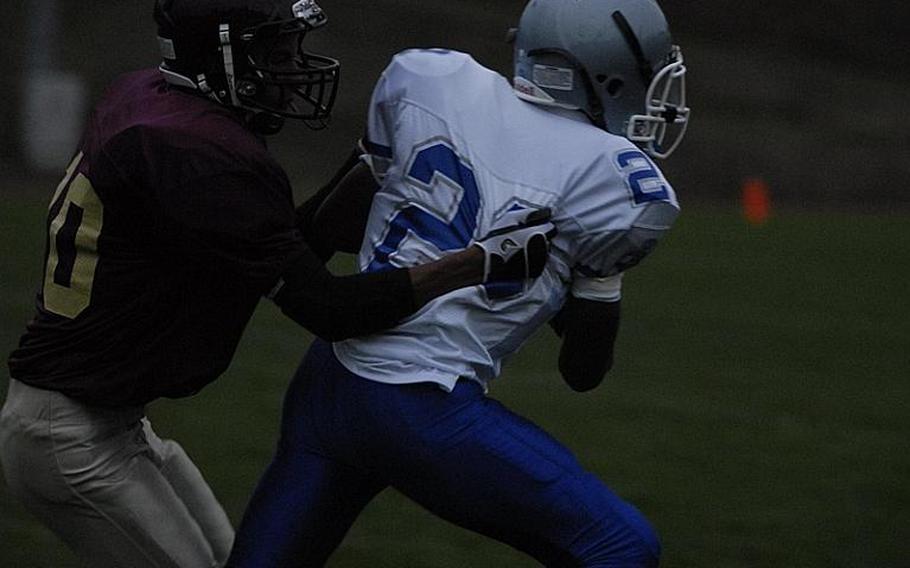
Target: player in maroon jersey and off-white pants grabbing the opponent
171, 223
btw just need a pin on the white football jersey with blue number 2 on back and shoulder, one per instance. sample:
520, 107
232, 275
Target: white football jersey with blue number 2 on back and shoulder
454, 149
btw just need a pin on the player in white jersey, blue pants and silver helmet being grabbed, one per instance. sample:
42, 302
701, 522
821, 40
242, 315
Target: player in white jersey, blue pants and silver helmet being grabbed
456, 151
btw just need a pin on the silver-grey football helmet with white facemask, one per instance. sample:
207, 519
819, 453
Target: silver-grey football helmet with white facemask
612, 59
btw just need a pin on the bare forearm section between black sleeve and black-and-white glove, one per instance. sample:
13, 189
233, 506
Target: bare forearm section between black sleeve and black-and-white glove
457, 270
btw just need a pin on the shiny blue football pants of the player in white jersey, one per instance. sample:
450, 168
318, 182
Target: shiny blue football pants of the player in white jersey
461, 455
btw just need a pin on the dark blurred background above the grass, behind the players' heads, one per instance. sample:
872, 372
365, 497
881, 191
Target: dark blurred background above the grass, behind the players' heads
810, 96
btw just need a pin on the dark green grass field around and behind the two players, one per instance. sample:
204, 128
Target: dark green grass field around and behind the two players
759, 411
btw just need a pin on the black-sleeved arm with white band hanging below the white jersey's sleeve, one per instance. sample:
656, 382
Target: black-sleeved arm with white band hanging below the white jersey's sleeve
588, 325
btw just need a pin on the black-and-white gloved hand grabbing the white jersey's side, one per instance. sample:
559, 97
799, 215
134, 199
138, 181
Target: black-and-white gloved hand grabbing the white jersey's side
518, 246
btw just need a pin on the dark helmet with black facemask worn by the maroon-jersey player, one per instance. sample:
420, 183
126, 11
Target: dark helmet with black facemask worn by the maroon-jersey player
250, 56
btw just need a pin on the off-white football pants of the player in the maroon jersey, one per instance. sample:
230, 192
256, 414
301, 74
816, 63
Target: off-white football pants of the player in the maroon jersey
91, 477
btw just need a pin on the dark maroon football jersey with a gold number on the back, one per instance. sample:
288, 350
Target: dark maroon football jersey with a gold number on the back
170, 224
